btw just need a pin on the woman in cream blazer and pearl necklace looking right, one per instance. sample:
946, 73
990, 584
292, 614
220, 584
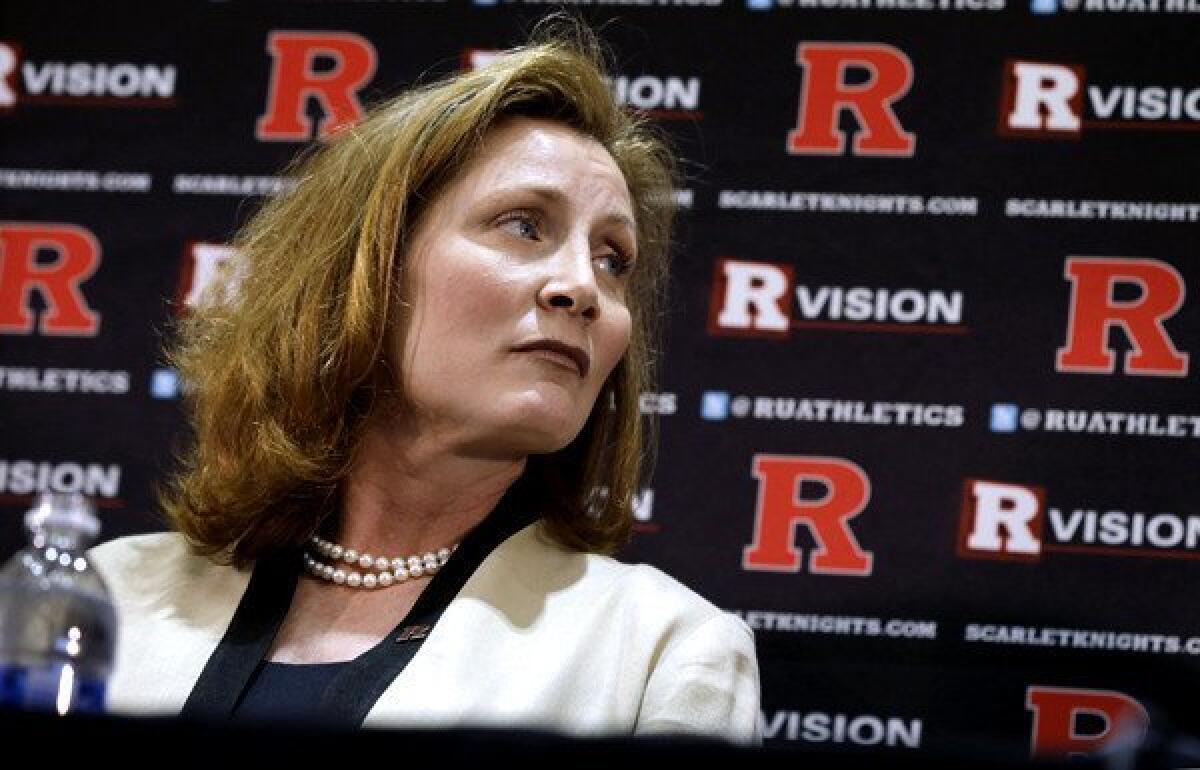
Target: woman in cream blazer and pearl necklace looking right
417, 435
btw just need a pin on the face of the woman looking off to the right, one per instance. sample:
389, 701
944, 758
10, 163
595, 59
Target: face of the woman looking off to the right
519, 275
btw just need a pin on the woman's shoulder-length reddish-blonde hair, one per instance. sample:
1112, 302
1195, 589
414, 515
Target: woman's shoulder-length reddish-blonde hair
285, 374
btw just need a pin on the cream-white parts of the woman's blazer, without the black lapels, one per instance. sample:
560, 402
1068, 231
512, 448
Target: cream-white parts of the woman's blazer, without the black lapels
539, 637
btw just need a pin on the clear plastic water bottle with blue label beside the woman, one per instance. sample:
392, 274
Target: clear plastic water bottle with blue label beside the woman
58, 628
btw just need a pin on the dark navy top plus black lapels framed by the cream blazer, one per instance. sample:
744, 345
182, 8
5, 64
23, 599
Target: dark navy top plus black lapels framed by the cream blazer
237, 683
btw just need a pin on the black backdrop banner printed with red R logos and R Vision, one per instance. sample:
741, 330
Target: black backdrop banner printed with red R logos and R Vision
929, 414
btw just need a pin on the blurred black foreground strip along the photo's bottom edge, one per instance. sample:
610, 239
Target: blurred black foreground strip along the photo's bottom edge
185, 744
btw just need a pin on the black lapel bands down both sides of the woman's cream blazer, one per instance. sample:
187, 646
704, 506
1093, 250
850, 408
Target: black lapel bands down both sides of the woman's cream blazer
358, 687
